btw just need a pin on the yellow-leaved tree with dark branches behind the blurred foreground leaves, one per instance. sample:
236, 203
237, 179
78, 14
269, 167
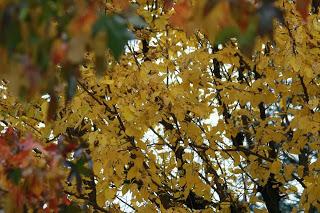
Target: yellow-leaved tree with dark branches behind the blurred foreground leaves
179, 124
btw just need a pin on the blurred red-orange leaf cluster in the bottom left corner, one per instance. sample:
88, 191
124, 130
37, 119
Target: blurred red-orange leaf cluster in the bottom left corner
31, 174
